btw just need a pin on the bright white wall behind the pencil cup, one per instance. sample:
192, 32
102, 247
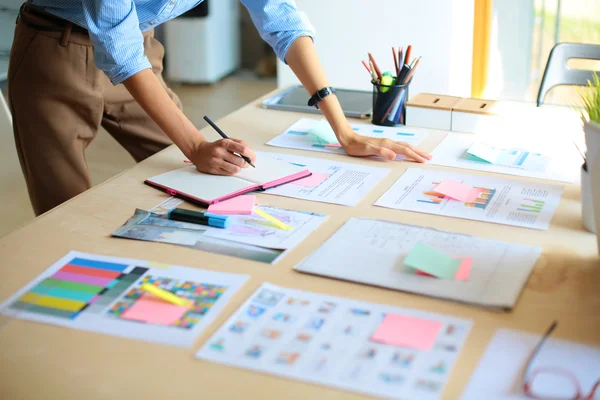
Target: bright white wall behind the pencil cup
440, 30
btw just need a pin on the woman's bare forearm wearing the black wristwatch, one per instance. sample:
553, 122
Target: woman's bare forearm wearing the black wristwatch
303, 60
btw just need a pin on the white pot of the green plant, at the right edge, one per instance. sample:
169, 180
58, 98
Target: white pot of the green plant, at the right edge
592, 139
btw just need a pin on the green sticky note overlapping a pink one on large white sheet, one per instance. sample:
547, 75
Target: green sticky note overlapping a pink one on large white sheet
434, 262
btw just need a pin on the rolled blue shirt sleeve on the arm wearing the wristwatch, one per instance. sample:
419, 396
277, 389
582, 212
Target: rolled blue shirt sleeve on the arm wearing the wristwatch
279, 23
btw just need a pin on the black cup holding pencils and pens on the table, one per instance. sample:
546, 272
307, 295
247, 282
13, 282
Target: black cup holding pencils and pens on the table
389, 104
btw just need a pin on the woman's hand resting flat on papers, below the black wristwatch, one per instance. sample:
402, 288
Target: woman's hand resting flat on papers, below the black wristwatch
357, 145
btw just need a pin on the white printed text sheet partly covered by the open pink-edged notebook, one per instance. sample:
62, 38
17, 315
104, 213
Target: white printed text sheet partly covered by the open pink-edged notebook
332, 182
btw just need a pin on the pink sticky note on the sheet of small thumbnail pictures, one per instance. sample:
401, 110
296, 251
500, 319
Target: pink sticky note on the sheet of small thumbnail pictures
402, 330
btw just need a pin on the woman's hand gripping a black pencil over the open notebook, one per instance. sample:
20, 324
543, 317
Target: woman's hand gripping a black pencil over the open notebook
217, 157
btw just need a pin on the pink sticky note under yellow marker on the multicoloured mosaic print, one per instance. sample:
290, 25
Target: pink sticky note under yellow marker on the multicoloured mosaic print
154, 311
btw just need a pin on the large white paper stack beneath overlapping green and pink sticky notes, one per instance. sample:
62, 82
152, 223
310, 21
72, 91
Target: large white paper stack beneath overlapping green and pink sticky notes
373, 252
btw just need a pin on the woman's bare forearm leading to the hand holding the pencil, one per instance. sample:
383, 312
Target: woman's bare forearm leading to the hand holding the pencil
147, 90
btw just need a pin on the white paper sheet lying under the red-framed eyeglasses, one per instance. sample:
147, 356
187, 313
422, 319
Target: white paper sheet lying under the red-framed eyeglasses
500, 371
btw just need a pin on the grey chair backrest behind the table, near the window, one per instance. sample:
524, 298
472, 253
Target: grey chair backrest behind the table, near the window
558, 73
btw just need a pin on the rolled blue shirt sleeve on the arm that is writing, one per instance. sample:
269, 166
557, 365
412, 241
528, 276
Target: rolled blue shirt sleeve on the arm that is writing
114, 29
